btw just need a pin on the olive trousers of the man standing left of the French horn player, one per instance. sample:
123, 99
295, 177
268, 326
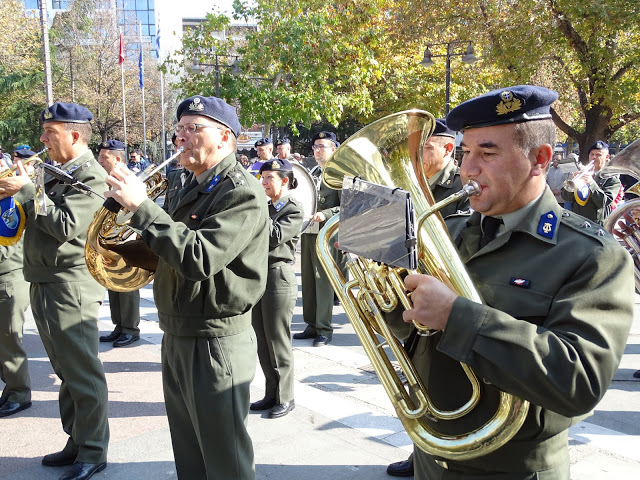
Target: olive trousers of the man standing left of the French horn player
66, 315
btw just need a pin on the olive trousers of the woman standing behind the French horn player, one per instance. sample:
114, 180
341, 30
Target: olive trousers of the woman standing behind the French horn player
271, 319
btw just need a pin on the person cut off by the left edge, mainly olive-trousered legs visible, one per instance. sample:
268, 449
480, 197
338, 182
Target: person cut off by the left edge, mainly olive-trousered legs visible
14, 301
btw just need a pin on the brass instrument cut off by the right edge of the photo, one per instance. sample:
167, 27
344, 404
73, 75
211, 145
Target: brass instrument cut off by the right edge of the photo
624, 221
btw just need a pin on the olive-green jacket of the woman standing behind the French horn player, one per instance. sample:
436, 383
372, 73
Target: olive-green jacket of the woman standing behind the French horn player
284, 232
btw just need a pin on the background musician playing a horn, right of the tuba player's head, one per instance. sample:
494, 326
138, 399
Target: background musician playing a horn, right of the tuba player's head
593, 193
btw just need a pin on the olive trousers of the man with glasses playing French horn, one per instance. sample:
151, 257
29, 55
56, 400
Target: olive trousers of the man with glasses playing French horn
206, 383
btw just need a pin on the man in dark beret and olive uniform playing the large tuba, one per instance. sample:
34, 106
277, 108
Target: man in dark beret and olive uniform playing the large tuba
558, 297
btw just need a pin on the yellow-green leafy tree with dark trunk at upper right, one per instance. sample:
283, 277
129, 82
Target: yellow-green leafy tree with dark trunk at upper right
587, 51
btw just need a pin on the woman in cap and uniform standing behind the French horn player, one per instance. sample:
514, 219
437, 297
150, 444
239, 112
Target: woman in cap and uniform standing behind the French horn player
271, 317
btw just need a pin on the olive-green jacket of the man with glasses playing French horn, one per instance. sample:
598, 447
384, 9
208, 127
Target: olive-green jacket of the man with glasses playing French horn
213, 249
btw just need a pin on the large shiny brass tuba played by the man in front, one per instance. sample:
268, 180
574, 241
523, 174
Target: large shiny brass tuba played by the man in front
389, 152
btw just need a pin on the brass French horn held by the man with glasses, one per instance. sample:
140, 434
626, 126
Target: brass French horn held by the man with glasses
115, 255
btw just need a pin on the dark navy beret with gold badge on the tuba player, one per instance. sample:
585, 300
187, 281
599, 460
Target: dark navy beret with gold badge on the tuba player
521, 103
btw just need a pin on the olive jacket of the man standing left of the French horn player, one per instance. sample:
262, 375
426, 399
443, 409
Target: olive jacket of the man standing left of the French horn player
54, 243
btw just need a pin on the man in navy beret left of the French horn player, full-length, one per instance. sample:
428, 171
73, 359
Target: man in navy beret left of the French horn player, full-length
64, 296
